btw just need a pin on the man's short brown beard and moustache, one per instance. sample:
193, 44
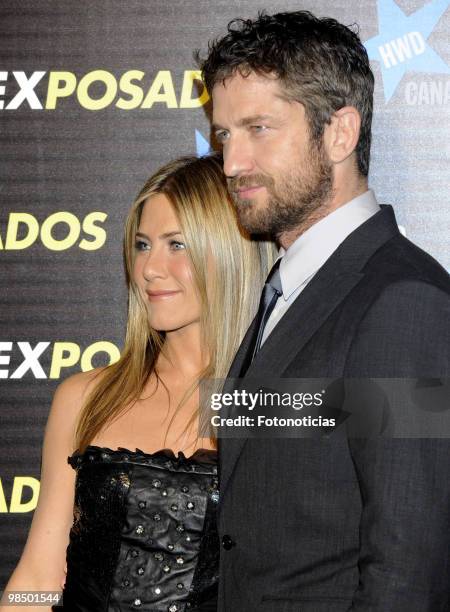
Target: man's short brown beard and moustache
295, 205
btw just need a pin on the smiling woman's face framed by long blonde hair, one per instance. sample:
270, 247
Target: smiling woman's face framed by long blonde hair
162, 270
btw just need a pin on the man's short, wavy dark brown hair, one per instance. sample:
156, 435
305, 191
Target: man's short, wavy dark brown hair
319, 62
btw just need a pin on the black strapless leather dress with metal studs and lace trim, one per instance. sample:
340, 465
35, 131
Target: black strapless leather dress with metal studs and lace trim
144, 536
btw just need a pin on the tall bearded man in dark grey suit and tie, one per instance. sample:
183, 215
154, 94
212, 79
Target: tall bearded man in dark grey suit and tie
333, 523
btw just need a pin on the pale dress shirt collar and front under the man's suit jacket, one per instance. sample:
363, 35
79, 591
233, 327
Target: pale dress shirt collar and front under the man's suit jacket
310, 251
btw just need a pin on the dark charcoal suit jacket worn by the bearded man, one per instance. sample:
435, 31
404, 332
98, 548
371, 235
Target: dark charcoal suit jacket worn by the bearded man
339, 523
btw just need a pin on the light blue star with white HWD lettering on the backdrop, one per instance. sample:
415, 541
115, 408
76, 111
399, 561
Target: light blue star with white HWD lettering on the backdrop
401, 44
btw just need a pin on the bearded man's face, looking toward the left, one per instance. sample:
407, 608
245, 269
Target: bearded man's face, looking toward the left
278, 179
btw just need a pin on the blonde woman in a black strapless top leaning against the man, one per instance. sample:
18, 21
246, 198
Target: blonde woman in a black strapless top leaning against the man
143, 535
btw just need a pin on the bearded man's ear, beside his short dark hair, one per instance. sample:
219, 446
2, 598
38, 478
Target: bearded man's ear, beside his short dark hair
341, 135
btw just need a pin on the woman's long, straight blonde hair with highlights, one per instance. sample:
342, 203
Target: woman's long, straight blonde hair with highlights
229, 295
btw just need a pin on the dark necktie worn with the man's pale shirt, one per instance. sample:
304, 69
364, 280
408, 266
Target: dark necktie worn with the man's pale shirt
270, 294
